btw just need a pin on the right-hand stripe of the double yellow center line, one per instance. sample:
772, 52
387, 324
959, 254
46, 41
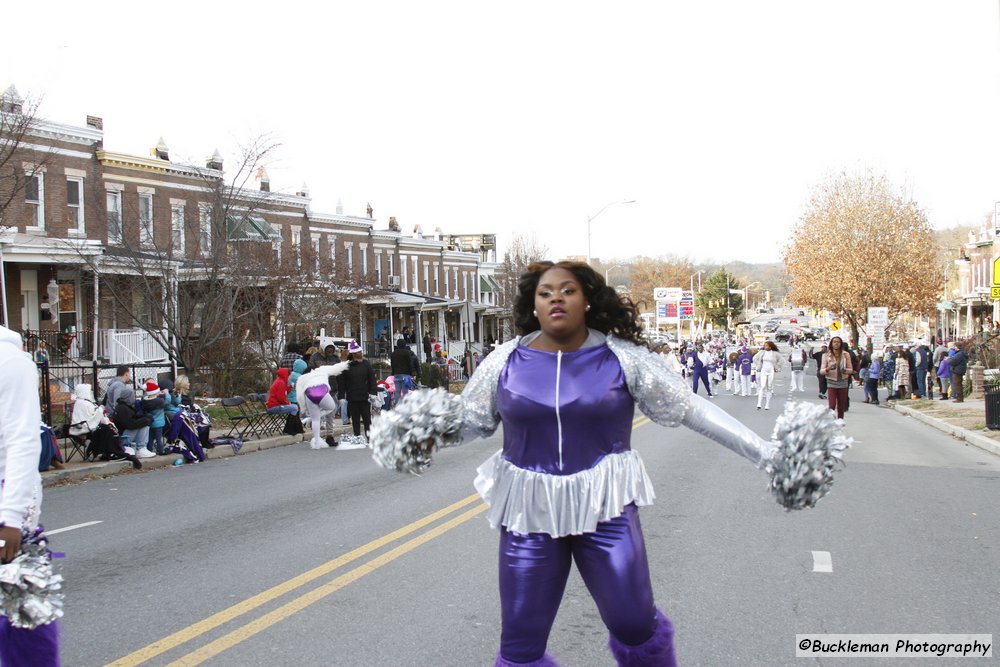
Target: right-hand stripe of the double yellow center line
233, 638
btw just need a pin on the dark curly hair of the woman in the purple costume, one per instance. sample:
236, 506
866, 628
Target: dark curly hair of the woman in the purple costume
610, 313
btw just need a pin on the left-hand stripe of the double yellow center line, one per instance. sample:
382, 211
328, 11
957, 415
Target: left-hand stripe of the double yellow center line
215, 620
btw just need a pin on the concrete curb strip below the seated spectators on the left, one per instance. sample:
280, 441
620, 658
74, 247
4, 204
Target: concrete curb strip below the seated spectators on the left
78, 470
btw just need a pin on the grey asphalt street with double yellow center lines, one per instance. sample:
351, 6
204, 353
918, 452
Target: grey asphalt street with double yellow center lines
298, 557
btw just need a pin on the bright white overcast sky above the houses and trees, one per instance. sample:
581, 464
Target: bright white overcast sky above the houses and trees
718, 119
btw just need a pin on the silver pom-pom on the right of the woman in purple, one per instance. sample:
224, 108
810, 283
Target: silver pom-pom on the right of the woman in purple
809, 446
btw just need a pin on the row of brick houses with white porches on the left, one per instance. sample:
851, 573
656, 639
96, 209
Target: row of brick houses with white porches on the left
96, 242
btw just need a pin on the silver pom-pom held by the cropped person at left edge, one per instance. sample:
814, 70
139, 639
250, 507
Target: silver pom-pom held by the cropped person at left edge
30, 591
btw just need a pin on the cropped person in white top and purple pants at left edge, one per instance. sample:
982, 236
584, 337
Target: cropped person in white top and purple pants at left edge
21, 499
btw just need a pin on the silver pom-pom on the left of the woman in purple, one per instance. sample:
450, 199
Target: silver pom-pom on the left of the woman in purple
403, 439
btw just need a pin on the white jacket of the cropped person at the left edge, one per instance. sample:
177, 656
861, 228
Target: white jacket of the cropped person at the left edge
20, 439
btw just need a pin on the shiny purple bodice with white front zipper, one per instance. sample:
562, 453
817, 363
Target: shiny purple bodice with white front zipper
563, 412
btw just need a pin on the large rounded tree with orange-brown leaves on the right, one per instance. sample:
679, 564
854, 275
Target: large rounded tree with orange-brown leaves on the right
861, 244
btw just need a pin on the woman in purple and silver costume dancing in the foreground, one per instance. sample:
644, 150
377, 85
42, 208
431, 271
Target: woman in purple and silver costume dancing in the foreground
566, 486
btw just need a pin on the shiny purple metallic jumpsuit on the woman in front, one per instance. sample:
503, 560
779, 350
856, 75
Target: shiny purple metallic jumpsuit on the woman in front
563, 414
